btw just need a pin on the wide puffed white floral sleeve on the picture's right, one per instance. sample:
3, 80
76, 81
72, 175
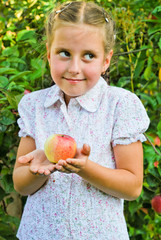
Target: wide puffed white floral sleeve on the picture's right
130, 120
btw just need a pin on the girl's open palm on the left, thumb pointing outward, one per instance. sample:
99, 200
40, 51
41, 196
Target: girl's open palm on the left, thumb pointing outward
38, 163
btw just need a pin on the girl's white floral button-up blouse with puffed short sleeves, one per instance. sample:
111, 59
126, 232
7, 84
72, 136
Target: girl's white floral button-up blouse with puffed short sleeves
67, 207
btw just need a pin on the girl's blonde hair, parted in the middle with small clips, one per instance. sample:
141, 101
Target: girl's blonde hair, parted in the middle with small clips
80, 12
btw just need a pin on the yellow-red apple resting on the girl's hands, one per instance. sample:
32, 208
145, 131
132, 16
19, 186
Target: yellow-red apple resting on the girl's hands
60, 146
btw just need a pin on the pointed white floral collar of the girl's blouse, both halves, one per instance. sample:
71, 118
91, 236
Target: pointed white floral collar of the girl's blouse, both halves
89, 101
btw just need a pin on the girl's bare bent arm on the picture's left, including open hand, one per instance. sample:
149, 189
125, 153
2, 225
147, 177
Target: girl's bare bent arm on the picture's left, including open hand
25, 181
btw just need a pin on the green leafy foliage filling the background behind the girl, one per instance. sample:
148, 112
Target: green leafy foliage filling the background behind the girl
136, 66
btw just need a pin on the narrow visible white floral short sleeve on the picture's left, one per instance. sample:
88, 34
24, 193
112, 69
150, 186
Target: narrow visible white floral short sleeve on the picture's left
26, 120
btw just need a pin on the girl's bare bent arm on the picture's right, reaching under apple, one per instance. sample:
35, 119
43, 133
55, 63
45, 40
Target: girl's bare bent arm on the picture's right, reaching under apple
123, 182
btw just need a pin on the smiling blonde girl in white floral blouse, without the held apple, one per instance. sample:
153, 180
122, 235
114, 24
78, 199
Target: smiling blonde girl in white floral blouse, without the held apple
80, 198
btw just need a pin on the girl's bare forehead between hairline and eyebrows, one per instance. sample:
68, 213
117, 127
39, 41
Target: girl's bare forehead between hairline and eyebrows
81, 35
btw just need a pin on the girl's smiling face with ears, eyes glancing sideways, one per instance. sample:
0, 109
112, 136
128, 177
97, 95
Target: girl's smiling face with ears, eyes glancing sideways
77, 58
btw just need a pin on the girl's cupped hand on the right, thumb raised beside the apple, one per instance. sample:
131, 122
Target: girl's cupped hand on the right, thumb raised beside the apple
74, 165
